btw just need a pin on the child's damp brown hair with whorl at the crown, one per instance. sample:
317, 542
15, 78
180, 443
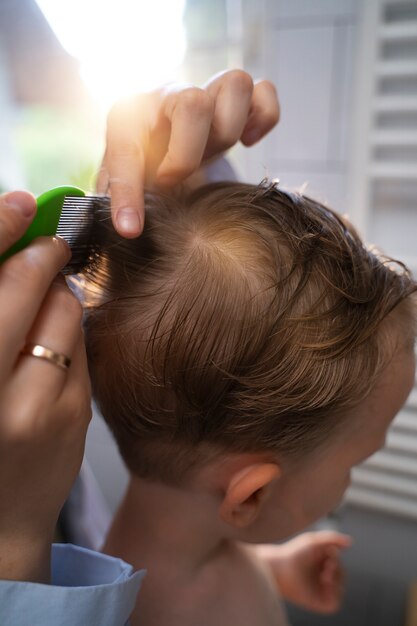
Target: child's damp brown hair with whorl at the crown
245, 318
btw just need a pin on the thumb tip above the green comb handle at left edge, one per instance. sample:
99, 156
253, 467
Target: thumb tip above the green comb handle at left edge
16, 212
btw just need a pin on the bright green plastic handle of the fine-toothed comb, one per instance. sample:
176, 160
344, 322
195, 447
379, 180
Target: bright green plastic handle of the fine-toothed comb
49, 207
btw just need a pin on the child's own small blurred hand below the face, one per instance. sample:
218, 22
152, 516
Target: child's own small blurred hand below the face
308, 570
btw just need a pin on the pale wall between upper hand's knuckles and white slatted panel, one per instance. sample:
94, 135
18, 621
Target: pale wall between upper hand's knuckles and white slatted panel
306, 47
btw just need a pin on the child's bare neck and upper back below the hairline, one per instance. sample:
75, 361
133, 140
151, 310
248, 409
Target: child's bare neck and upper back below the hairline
197, 574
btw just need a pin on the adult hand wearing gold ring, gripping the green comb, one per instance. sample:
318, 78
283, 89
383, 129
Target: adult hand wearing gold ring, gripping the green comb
44, 409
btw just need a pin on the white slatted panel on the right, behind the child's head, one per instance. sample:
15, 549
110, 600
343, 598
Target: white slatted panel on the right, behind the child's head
383, 185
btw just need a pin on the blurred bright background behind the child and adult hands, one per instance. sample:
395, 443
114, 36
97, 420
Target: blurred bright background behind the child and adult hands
346, 71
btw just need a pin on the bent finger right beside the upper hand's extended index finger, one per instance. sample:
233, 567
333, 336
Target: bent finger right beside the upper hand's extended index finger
190, 113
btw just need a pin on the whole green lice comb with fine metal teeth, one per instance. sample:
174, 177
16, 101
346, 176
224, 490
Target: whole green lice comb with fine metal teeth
69, 213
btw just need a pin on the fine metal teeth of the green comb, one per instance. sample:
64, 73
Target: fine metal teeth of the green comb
77, 226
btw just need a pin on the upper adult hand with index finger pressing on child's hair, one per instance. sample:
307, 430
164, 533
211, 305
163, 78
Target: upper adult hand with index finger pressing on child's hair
161, 138
